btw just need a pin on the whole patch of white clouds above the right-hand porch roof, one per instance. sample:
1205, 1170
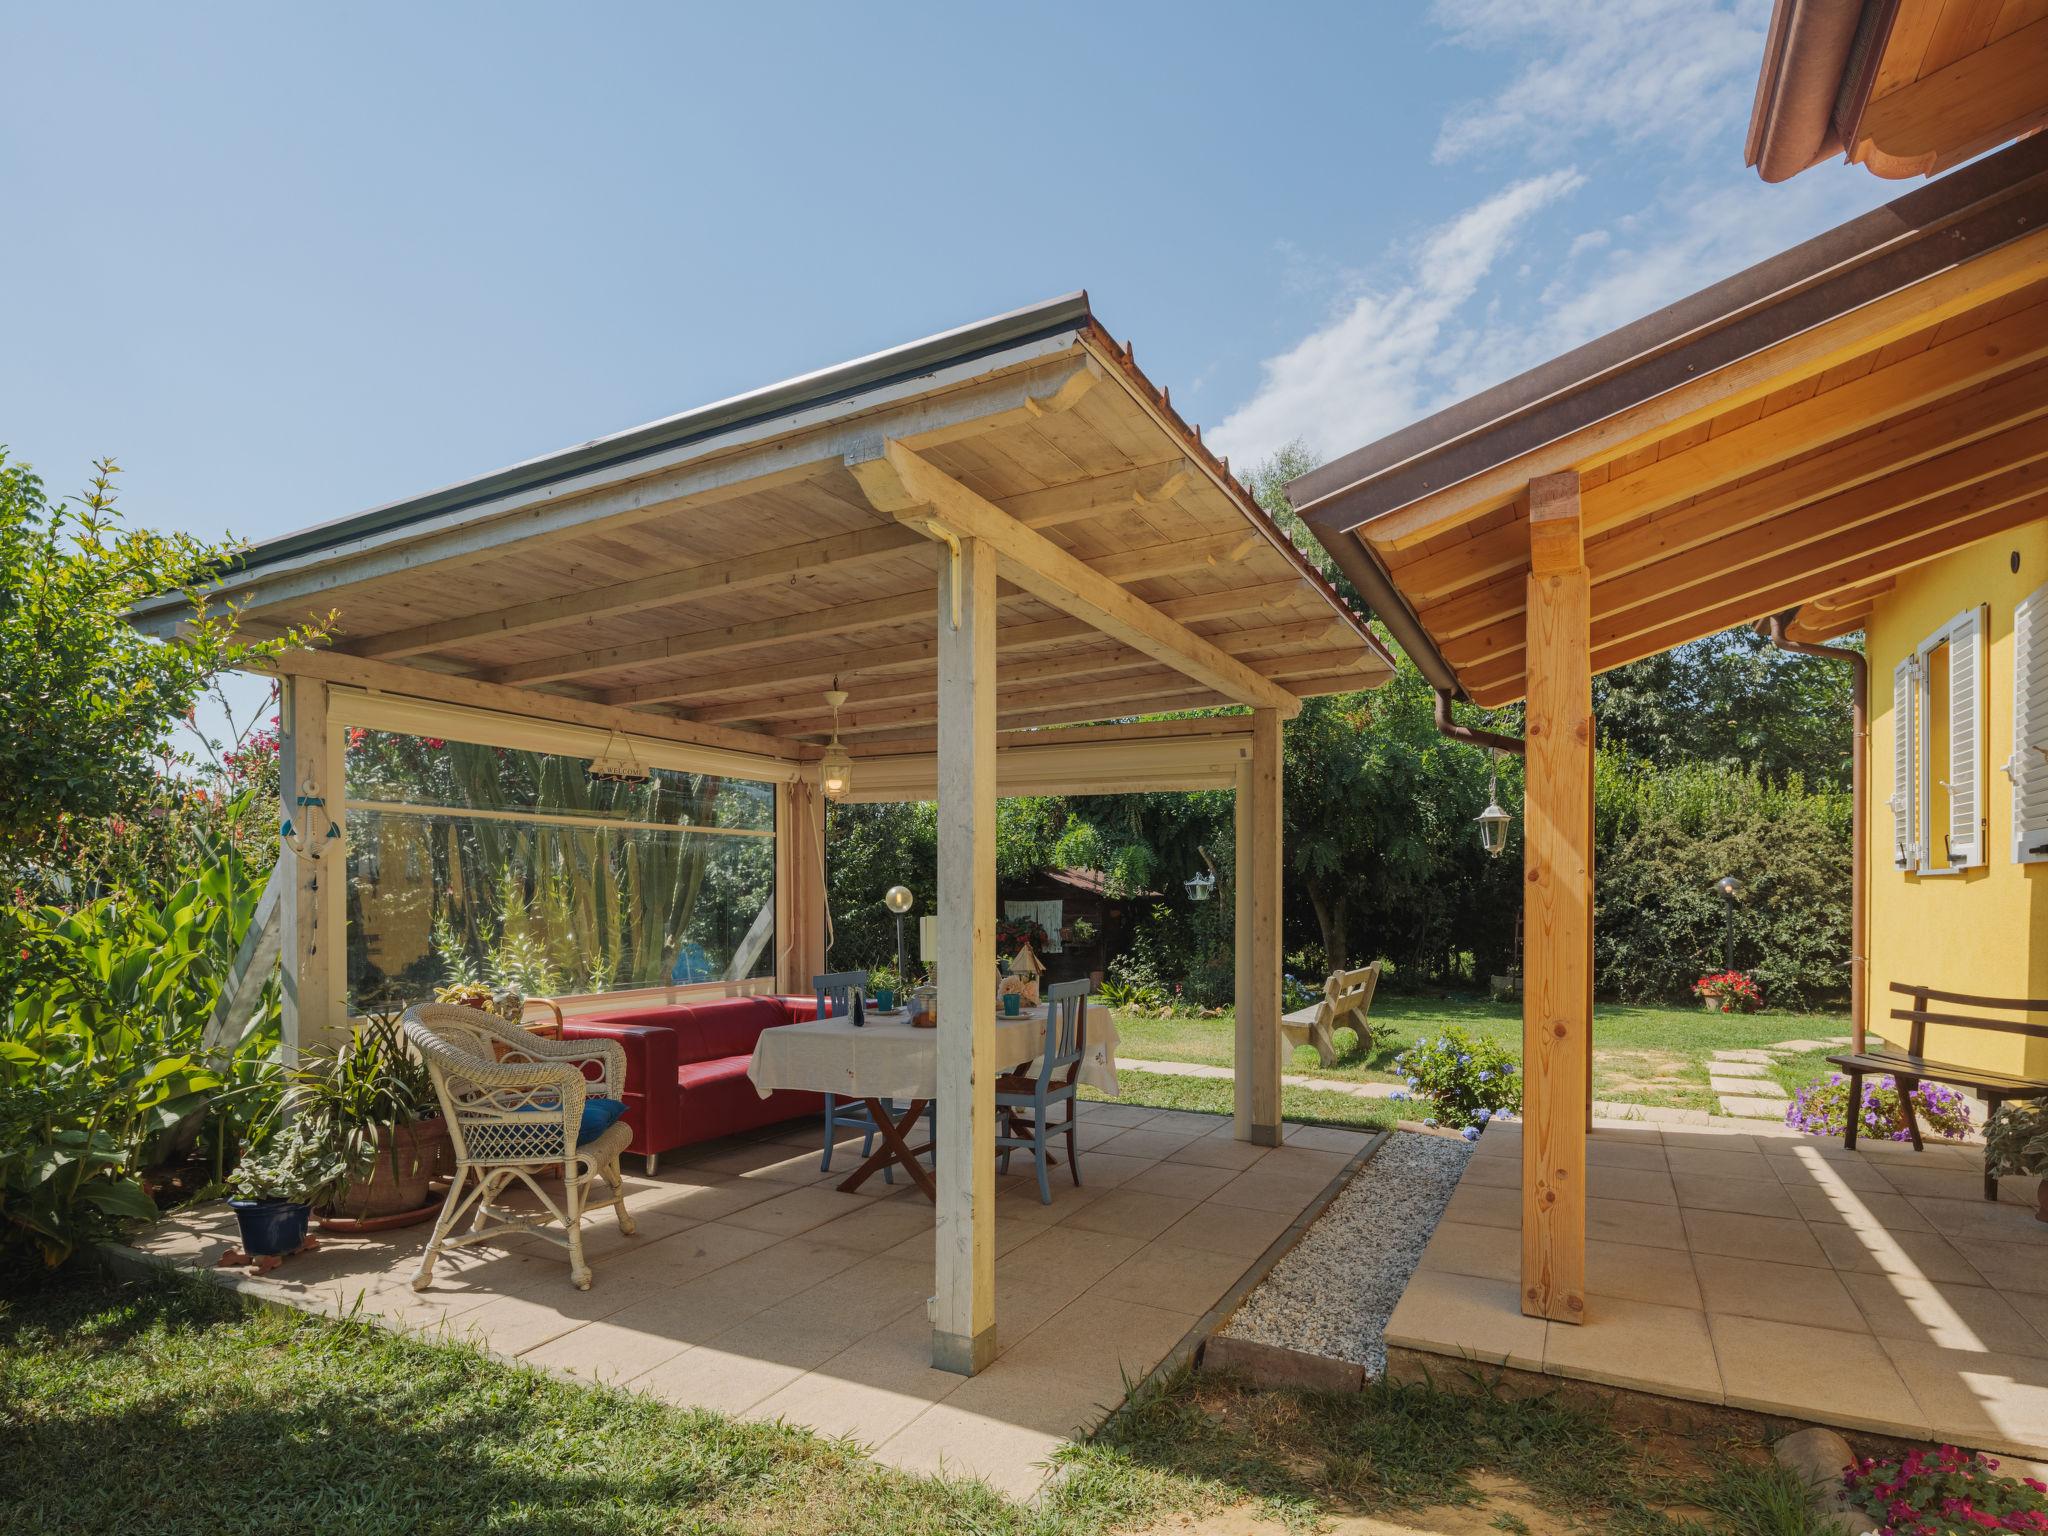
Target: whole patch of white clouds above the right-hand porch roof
1451, 316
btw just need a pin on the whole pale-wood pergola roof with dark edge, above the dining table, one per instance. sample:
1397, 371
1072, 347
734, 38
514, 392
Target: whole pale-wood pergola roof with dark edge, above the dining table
712, 574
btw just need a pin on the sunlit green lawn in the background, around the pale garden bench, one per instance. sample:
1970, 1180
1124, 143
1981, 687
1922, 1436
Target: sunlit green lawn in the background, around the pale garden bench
1644, 1056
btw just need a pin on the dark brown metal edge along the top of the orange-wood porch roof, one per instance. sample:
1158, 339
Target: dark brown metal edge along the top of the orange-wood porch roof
1928, 230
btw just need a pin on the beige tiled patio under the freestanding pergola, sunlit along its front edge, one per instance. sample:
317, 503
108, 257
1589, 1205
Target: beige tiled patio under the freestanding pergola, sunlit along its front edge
755, 1287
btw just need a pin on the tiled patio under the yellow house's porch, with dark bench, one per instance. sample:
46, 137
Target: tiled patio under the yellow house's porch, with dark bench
1871, 1291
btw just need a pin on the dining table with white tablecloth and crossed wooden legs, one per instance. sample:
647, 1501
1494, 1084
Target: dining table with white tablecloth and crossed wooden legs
888, 1062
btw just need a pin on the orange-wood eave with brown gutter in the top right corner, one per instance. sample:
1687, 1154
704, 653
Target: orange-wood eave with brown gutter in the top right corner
1900, 87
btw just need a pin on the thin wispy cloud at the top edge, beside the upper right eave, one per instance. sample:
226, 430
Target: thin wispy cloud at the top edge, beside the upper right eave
1625, 71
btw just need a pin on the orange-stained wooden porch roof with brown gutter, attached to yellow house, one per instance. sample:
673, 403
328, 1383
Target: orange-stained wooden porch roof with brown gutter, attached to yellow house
1795, 435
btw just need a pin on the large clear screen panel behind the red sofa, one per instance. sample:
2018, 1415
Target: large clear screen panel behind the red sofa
486, 863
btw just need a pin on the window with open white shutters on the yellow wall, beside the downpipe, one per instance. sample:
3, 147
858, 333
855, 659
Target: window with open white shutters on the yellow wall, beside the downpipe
1938, 751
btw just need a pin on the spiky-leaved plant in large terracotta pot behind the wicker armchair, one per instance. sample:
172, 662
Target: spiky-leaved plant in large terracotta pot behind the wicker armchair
374, 1105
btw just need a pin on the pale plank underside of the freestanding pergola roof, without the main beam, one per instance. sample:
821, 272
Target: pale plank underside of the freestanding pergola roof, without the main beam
740, 605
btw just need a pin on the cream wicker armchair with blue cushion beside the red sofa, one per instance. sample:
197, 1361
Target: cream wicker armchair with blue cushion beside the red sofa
515, 1105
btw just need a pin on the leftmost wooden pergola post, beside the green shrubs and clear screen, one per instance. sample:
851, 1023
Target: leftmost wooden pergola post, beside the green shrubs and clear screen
312, 873
